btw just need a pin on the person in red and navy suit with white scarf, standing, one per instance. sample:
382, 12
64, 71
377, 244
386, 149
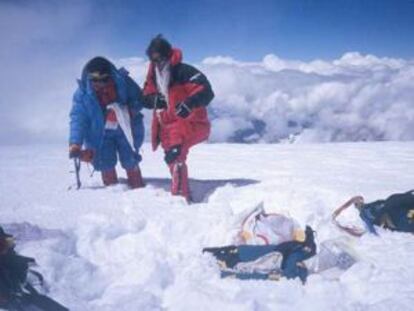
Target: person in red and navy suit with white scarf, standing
178, 93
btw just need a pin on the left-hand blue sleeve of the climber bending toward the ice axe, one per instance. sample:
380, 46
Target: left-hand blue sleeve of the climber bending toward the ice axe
78, 120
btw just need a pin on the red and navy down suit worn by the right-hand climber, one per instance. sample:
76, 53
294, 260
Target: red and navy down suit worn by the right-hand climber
187, 84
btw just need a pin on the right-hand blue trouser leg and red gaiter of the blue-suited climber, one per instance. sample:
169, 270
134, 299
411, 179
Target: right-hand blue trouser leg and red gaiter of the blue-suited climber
129, 160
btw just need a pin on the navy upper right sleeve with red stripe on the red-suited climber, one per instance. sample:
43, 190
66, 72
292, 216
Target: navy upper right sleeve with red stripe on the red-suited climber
197, 86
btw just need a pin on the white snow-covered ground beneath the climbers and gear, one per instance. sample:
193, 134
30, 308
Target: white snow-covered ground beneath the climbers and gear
113, 249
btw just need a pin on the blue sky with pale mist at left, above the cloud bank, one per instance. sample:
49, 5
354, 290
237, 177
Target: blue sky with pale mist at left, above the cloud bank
44, 44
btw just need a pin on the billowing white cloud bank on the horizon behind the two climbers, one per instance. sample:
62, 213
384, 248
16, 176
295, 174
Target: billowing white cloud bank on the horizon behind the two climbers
354, 98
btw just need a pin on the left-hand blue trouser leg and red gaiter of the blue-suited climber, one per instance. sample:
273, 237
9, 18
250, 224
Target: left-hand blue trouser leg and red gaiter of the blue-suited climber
107, 159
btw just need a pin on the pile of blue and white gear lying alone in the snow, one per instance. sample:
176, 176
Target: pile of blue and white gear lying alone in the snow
269, 246
